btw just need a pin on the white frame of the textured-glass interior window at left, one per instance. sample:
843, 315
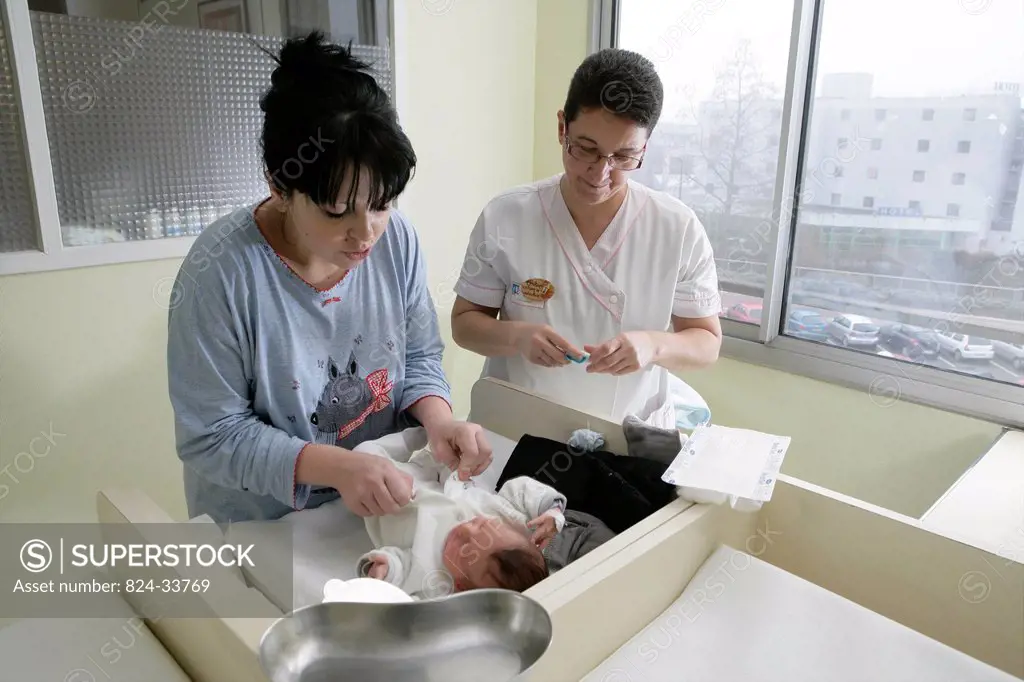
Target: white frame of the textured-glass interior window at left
53, 253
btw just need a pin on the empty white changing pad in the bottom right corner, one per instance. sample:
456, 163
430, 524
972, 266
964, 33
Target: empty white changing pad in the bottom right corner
743, 619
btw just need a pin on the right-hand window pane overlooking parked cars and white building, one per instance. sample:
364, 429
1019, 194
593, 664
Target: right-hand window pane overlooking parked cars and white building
931, 270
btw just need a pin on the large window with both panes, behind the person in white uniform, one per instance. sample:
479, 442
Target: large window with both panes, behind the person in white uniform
901, 253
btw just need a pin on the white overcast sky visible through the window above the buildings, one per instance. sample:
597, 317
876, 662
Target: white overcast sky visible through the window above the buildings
912, 48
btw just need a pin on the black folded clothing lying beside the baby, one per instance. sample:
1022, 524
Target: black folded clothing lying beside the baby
619, 490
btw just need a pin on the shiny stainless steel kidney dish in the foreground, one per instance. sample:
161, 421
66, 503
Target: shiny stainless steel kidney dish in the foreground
475, 636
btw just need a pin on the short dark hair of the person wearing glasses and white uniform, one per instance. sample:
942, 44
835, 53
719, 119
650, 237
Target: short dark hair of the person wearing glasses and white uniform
623, 82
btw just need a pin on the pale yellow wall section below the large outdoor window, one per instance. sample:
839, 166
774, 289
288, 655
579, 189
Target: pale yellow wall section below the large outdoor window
901, 457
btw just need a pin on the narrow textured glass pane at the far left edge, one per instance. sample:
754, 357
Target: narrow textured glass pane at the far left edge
18, 222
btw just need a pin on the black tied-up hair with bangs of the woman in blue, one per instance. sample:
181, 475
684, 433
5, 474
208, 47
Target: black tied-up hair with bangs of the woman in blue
326, 114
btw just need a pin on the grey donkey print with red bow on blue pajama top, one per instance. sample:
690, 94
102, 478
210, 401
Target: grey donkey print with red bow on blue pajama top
351, 407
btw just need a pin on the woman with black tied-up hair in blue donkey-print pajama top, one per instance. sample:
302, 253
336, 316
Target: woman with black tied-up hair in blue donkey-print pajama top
303, 326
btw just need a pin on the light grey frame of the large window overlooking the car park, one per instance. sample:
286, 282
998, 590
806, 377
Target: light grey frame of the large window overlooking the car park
884, 379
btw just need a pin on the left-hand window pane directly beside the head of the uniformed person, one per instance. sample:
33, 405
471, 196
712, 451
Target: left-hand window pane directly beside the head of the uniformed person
716, 148
